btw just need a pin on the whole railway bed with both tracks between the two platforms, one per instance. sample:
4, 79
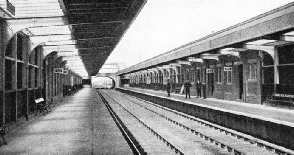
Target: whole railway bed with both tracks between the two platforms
180, 133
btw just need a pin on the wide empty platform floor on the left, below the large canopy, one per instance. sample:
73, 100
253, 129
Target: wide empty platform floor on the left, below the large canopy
79, 125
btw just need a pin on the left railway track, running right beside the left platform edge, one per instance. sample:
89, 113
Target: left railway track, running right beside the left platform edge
142, 139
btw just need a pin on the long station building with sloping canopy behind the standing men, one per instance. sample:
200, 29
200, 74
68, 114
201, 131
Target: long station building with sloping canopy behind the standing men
249, 62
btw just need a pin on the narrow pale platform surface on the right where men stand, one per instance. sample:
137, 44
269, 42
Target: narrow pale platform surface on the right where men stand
279, 114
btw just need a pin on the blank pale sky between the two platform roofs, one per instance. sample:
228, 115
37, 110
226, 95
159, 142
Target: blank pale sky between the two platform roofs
163, 25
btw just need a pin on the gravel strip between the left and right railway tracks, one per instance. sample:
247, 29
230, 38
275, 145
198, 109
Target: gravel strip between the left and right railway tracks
184, 140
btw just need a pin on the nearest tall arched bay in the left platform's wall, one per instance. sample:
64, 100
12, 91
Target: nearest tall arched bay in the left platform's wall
15, 63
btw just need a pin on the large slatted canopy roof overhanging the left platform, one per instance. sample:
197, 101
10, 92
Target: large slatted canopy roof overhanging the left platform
83, 32
